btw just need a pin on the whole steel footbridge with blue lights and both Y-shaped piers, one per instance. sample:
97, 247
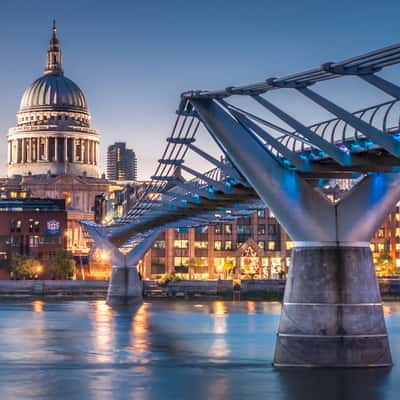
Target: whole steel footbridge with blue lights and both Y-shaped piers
332, 312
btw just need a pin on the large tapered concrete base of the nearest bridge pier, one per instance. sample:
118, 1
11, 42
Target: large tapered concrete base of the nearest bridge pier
332, 313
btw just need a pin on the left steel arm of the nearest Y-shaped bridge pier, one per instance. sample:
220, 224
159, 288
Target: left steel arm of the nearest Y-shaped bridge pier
298, 207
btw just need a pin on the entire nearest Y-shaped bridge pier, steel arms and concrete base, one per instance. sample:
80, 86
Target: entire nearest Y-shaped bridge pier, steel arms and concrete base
332, 314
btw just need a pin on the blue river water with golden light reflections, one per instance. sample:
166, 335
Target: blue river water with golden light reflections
167, 350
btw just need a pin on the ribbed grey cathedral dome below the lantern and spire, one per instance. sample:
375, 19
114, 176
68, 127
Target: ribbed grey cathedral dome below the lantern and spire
55, 92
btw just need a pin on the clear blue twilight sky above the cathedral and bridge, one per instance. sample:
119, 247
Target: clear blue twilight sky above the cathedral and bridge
133, 58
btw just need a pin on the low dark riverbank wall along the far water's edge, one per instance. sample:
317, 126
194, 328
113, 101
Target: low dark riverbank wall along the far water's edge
268, 289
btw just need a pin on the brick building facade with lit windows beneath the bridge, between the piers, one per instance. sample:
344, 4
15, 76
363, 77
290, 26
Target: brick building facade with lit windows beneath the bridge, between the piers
255, 247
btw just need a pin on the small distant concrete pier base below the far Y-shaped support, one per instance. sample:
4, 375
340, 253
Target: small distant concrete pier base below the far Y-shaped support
125, 287
